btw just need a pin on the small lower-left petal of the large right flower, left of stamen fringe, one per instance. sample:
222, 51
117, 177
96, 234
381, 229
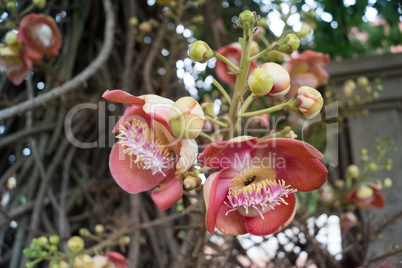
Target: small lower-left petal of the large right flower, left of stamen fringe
232, 223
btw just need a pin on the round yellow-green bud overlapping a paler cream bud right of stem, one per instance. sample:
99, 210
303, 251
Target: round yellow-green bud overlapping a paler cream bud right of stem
260, 82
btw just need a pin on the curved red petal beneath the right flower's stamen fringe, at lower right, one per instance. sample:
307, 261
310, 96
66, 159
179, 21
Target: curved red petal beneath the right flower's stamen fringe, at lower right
274, 220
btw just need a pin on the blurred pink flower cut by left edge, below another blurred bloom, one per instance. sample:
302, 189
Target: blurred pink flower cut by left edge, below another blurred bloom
14, 62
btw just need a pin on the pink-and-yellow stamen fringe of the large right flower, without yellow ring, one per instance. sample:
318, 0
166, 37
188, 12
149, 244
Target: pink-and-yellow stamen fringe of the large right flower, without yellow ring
259, 196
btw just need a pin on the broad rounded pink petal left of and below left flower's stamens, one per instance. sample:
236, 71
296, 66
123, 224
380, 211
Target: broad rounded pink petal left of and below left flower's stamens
128, 175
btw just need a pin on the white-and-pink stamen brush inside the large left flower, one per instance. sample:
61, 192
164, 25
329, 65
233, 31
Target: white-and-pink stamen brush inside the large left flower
141, 142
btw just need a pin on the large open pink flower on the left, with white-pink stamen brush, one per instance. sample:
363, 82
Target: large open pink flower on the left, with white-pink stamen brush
147, 153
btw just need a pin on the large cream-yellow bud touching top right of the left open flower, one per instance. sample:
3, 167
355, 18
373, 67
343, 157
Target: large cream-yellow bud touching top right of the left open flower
186, 118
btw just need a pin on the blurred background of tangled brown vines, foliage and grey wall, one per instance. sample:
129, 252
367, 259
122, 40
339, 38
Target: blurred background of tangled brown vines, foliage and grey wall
54, 176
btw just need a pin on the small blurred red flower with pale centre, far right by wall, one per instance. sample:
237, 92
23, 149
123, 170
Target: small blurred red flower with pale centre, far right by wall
366, 196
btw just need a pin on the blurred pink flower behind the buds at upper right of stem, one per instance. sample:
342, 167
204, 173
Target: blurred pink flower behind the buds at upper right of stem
306, 70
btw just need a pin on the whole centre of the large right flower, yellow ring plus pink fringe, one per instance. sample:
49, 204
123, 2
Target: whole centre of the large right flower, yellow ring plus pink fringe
256, 188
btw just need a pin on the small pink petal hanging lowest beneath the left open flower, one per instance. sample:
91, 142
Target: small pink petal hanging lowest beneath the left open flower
169, 192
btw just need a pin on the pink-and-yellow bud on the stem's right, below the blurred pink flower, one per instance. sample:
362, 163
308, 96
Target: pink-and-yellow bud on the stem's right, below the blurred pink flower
308, 102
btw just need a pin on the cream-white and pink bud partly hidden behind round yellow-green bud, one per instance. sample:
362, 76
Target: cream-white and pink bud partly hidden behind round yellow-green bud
280, 77
